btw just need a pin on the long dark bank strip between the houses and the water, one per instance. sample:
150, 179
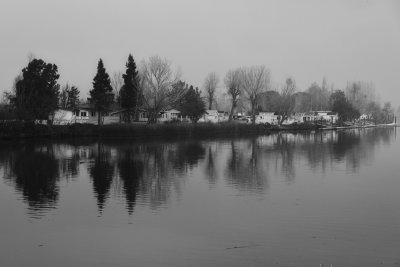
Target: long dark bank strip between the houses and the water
17, 131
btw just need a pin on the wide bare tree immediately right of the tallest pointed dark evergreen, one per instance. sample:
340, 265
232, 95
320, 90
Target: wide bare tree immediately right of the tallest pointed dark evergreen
158, 86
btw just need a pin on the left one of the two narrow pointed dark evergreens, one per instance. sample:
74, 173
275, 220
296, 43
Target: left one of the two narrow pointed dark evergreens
101, 95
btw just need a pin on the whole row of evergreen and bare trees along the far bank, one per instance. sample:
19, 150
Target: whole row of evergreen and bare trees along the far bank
155, 86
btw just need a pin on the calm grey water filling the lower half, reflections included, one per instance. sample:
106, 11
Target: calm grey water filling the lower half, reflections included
329, 198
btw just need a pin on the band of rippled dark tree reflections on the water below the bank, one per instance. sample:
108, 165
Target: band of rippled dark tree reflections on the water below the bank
148, 173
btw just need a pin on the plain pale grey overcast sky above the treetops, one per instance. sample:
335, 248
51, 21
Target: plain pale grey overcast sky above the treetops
341, 40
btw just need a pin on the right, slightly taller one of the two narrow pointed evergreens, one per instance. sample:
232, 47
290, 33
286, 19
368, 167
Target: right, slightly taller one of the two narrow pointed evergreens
130, 89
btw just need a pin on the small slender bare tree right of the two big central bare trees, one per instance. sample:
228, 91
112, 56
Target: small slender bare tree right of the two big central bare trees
287, 102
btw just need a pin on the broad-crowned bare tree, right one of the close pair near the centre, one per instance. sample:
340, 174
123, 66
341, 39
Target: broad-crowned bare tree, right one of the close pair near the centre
255, 80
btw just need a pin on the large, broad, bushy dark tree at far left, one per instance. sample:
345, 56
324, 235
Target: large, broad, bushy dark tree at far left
36, 93
